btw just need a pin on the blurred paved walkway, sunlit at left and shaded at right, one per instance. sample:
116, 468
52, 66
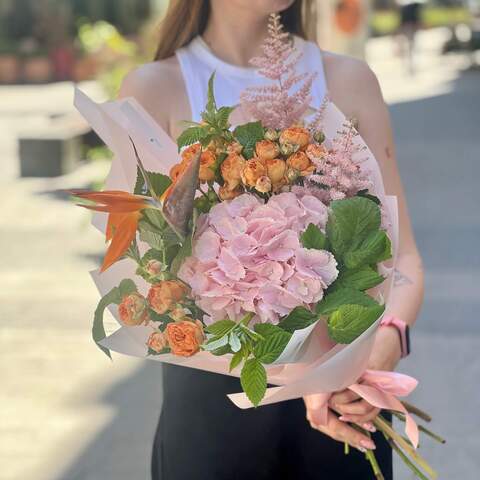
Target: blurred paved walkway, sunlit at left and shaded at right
67, 413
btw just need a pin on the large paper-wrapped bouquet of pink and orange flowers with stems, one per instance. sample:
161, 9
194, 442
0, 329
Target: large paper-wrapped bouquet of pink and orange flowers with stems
263, 250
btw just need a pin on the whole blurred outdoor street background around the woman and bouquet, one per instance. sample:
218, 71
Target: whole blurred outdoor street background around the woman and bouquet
67, 413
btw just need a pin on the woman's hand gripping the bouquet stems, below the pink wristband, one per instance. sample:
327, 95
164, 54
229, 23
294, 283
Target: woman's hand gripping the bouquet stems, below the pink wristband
352, 409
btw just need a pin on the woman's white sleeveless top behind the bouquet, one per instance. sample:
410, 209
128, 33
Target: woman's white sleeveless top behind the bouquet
197, 63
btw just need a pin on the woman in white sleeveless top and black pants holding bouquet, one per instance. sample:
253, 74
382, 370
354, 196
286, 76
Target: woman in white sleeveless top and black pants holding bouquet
201, 435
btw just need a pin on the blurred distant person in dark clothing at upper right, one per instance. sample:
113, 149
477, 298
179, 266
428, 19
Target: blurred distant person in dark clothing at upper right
410, 22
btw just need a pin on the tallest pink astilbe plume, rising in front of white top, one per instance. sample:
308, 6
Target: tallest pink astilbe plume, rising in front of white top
275, 105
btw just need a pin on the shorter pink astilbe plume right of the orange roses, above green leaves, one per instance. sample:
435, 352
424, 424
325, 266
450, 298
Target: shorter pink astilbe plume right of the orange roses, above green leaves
338, 170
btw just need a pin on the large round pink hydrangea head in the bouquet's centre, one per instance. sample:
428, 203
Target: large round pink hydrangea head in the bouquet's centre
247, 257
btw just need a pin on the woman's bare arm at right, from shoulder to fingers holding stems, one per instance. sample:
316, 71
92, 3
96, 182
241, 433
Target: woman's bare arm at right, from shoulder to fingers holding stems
365, 103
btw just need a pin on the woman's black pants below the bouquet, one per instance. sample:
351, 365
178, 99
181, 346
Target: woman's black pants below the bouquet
203, 436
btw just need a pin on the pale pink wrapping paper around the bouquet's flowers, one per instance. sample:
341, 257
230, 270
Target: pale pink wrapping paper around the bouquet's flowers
311, 363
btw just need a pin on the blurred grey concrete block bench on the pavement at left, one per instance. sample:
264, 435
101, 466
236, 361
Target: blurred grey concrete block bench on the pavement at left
53, 149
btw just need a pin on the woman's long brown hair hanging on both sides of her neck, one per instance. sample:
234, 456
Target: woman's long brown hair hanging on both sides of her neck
185, 20
